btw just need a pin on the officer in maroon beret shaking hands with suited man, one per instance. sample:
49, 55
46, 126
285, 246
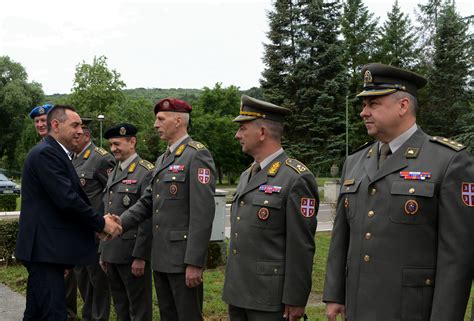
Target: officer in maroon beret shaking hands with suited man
181, 201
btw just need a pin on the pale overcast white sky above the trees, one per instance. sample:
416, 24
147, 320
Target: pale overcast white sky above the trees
151, 43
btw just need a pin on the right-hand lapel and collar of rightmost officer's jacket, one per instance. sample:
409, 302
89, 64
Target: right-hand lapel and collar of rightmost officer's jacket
398, 160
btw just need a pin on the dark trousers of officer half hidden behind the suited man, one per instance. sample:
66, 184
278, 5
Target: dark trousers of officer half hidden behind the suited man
94, 288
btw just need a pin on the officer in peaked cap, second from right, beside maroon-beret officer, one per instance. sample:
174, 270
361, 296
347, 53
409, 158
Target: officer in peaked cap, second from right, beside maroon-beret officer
273, 223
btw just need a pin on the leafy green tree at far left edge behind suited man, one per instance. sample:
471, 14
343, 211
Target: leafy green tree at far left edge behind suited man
17, 98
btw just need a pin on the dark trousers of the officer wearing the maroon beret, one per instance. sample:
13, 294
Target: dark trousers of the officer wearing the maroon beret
176, 301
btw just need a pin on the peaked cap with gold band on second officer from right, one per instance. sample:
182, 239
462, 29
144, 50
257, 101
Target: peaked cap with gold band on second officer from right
251, 108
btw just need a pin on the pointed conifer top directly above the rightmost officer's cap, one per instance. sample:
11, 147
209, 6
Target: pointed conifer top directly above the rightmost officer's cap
397, 41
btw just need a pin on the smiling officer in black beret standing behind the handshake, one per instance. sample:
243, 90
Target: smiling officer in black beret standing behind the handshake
126, 260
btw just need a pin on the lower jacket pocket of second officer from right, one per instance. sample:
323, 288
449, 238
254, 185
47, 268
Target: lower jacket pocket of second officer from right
270, 276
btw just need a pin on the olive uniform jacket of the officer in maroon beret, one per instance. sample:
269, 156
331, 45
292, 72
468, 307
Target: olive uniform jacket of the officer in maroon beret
180, 201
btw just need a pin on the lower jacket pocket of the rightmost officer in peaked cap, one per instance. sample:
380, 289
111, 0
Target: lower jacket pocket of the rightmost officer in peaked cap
417, 293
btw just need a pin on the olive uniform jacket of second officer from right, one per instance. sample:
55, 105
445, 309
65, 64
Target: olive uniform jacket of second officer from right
271, 250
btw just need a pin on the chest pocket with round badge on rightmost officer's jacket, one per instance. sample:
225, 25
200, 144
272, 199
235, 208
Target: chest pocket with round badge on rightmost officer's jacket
412, 202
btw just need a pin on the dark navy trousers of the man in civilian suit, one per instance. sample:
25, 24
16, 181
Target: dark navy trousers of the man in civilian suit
45, 292
